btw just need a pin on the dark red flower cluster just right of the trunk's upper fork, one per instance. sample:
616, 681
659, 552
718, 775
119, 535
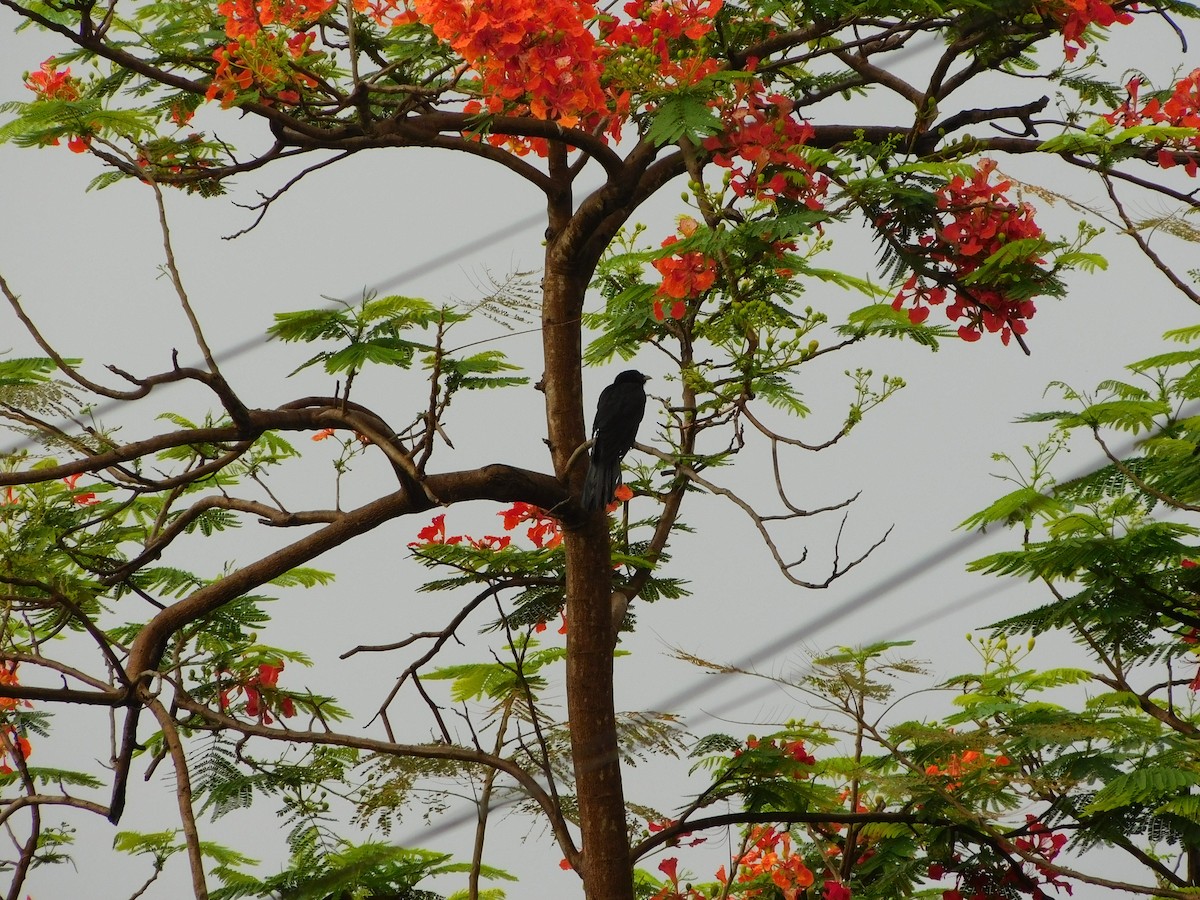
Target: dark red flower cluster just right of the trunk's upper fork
761, 147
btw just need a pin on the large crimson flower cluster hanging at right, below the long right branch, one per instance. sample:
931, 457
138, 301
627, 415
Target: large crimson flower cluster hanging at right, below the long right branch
979, 220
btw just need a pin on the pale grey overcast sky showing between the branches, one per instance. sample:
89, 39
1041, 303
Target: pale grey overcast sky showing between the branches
87, 265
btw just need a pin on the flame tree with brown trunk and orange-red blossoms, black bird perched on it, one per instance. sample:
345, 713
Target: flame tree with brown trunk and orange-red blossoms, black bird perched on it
753, 106
